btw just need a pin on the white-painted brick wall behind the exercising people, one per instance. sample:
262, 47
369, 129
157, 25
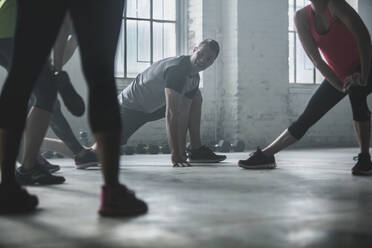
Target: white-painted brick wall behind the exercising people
246, 92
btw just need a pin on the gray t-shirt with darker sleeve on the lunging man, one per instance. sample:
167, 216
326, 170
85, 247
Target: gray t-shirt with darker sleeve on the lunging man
146, 92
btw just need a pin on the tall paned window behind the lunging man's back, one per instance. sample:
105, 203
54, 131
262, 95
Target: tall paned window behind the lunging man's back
150, 32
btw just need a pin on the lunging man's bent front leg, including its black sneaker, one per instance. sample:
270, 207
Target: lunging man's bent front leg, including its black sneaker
199, 153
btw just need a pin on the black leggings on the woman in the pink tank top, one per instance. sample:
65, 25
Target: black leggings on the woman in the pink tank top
324, 99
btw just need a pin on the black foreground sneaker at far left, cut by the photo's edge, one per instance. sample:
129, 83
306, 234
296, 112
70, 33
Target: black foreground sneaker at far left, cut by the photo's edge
16, 200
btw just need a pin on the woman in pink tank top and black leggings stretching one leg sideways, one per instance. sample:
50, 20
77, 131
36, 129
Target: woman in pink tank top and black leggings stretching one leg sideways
335, 30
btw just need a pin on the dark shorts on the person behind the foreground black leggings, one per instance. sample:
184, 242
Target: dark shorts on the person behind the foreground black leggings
45, 91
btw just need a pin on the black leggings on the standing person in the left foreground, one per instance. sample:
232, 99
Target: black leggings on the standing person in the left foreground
97, 24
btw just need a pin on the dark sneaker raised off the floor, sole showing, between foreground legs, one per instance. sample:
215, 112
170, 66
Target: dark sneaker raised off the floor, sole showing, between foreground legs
72, 100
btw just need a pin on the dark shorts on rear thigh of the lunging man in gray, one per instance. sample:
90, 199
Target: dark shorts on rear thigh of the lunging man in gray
132, 120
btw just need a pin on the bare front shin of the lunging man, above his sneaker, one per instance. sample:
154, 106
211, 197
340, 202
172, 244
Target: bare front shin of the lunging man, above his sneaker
195, 120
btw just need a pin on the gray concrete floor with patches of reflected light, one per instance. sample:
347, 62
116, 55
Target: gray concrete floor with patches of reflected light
311, 200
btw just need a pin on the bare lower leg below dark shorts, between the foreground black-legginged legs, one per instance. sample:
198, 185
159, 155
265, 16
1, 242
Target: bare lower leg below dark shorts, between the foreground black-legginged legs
36, 126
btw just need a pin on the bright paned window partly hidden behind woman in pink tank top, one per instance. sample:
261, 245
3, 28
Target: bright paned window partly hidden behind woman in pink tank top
301, 69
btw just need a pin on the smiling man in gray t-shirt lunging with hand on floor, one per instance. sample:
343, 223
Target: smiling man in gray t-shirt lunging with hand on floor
170, 88
